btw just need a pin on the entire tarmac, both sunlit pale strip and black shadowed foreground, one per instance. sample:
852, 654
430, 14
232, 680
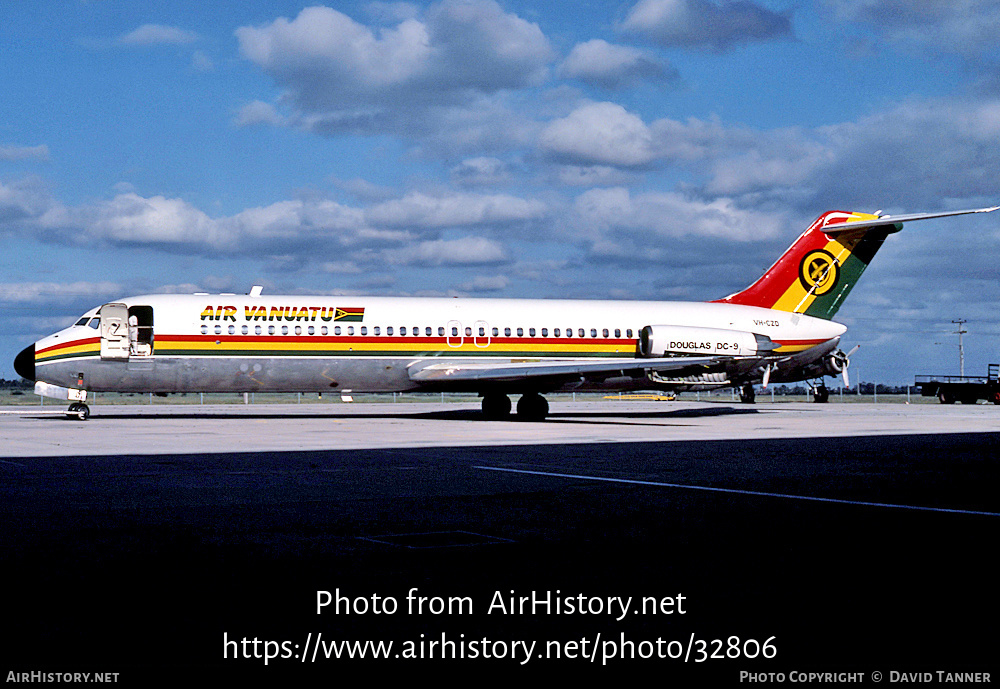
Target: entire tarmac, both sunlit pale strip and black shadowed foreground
699, 541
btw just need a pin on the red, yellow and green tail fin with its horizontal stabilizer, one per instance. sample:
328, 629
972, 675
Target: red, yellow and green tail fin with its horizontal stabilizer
818, 271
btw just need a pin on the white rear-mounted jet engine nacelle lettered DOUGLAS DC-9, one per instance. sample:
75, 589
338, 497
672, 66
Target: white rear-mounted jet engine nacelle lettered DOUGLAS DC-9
682, 340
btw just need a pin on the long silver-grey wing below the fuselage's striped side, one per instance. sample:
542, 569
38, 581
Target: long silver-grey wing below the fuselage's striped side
464, 371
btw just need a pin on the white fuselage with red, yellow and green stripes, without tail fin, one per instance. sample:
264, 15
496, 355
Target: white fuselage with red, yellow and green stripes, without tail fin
175, 343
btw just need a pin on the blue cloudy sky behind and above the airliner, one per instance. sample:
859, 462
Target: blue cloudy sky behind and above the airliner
651, 149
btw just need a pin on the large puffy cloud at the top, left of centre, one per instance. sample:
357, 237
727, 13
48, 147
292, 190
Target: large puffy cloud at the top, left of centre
342, 75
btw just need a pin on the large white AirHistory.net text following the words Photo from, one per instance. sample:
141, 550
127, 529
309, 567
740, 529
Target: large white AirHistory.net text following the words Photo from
553, 603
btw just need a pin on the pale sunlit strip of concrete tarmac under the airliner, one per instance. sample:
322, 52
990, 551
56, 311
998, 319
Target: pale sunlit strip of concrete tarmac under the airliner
165, 428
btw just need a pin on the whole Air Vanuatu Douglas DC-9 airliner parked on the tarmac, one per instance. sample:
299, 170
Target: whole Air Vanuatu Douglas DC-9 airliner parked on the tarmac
777, 330
